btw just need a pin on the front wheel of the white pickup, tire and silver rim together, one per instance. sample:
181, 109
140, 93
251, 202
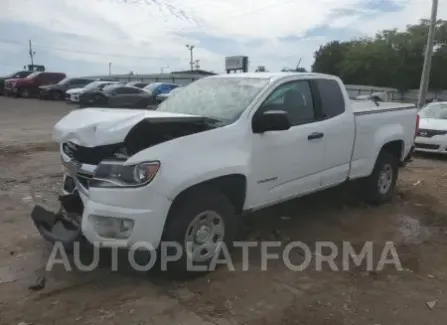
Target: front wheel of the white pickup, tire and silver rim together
201, 225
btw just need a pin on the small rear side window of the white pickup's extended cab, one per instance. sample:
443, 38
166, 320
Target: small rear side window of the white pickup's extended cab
332, 100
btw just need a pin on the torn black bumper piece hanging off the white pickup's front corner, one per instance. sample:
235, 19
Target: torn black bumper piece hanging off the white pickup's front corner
63, 226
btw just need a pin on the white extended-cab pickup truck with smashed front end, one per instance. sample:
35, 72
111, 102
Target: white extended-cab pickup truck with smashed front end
223, 146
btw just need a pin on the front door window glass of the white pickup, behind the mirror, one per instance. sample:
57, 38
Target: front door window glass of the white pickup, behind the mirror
295, 98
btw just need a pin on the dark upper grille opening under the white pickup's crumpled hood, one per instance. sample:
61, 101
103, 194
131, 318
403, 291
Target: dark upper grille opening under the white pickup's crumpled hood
89, 155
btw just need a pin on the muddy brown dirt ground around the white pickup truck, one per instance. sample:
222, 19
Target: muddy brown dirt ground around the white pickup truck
416, 222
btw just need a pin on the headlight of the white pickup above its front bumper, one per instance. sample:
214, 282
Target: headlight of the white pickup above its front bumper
114, 174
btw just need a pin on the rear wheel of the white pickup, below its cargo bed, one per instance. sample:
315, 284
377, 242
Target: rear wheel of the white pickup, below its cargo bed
373, 188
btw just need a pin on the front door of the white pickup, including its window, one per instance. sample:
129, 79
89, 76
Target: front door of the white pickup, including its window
286, 164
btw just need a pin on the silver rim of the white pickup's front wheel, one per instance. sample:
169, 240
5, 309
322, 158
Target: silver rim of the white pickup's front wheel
204, 236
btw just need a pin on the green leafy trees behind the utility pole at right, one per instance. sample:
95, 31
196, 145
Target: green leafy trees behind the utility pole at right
391, 58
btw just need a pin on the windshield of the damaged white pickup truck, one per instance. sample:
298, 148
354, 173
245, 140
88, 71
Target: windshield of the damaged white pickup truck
223, 99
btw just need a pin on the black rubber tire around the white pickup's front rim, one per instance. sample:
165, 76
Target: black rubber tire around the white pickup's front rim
183, 213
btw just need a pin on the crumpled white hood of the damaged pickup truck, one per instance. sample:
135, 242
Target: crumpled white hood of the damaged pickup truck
91, 127
